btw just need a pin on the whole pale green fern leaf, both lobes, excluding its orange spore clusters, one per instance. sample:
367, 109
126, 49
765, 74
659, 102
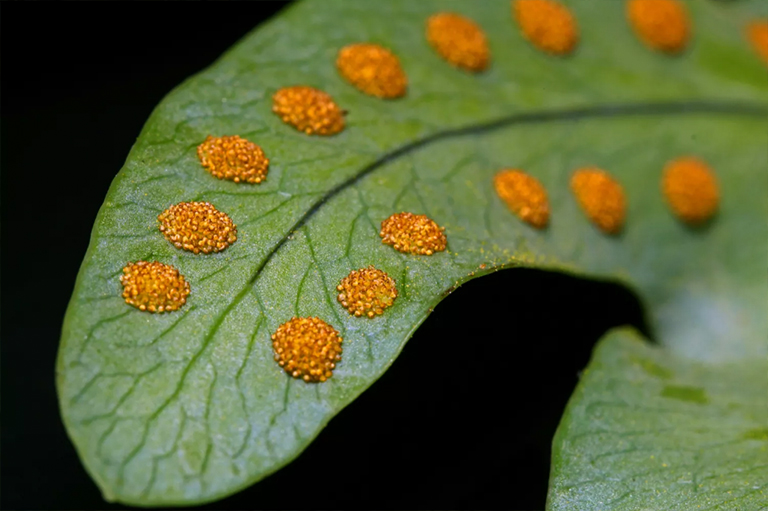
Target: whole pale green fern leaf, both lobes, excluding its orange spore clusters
189, 406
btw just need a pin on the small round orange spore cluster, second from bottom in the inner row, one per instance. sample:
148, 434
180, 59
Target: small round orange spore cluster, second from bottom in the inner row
366, 292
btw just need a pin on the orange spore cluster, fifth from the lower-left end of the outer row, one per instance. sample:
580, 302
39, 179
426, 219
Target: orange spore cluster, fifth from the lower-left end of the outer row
373, 69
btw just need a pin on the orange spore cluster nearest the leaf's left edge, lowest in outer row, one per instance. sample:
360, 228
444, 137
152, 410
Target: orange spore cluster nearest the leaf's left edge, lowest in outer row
154, 287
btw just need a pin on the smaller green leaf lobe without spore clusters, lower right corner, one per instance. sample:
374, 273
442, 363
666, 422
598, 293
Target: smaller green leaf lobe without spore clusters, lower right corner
646, 430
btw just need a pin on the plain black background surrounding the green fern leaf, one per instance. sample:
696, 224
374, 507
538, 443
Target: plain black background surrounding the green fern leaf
78, 83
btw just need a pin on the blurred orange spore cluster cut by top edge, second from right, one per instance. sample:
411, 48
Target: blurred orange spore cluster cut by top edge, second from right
663, 25
